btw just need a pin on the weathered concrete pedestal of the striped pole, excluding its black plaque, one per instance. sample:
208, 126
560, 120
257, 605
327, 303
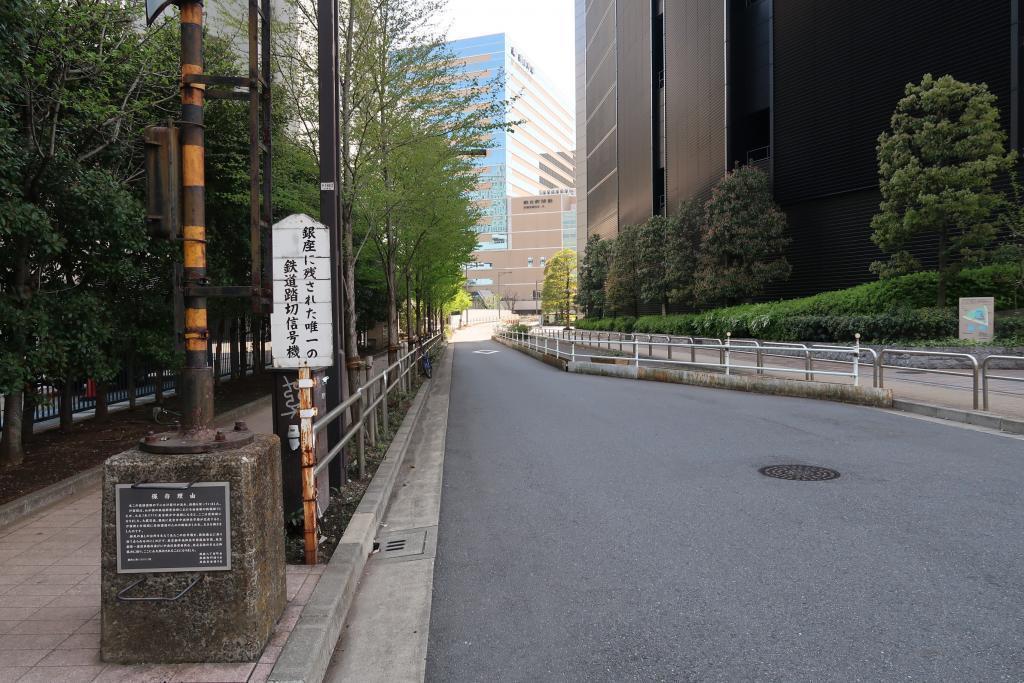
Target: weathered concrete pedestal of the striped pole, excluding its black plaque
229, 616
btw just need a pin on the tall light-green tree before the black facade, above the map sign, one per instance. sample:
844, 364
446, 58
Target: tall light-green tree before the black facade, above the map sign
936, 169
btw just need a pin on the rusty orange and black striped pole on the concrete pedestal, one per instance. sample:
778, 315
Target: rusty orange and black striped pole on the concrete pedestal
197, 377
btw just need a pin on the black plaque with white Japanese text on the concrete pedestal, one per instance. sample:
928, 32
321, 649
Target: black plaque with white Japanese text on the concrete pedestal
174, 527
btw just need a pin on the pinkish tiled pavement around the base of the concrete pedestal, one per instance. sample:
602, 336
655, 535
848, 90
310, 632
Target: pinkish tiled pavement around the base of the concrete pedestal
50, 606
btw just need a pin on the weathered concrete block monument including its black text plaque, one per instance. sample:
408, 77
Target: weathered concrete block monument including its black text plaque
194, 562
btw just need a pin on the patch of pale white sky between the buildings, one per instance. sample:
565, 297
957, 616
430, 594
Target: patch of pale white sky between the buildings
542, 29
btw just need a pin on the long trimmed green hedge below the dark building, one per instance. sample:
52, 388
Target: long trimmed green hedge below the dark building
886, 311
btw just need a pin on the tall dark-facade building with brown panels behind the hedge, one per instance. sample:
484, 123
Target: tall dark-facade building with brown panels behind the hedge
676, 93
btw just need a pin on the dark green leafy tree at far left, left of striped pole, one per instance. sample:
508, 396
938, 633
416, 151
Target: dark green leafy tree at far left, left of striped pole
80, 81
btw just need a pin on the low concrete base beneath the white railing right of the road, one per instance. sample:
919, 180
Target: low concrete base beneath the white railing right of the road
846, 394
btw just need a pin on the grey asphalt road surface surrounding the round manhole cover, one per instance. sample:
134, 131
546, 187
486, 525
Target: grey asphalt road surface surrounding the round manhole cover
606, 530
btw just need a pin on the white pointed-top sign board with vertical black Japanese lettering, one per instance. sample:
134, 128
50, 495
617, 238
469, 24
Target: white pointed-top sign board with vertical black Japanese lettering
302, 328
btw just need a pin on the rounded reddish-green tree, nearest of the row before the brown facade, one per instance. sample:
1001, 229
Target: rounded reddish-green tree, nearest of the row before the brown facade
745, 239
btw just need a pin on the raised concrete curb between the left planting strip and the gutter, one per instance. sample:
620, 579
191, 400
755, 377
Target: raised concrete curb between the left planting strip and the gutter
309, 650
